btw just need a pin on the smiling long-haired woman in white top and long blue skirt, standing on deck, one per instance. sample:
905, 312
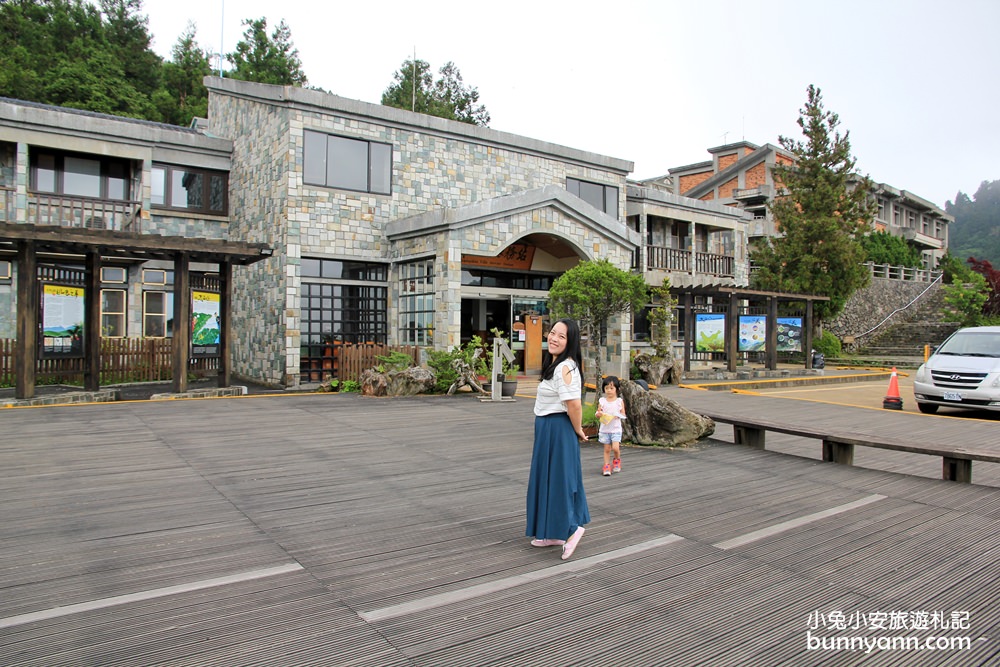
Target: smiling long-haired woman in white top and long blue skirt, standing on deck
557, 505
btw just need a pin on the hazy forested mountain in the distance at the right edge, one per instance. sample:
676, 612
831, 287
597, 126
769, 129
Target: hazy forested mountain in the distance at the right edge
976, 230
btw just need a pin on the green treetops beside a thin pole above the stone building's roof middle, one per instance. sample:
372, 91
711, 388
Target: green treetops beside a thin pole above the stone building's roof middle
415, 89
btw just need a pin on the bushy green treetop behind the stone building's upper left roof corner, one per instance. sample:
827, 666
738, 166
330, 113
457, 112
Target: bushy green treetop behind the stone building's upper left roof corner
265, 59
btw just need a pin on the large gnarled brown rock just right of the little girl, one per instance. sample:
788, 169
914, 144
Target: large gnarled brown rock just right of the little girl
654, 419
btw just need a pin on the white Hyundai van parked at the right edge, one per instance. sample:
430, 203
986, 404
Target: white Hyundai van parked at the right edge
963, 372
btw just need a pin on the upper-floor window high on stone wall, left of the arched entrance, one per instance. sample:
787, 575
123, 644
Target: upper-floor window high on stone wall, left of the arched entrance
348, 164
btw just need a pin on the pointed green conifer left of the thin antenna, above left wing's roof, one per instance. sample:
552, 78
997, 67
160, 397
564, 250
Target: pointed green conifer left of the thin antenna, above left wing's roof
183, 95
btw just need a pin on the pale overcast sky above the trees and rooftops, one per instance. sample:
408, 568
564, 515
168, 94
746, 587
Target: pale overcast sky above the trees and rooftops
660, 82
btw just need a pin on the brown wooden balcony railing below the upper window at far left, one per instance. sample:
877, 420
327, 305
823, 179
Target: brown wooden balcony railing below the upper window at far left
84, 213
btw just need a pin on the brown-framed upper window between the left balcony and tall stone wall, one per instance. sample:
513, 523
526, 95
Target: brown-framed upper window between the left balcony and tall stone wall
190, 189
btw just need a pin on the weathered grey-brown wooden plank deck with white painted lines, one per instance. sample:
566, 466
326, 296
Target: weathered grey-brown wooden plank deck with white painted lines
337, 530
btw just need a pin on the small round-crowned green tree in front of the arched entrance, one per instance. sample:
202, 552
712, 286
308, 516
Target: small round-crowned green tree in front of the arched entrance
592, 293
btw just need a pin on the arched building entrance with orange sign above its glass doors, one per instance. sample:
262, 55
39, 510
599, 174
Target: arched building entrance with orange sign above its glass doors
509, 292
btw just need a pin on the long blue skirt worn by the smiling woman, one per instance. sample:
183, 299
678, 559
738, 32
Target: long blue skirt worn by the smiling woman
556, 504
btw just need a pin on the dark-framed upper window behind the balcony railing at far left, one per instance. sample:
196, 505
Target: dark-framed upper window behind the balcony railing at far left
76, 175
